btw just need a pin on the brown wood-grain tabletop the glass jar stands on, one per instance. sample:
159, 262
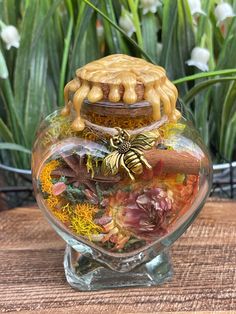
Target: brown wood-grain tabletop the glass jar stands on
32, 276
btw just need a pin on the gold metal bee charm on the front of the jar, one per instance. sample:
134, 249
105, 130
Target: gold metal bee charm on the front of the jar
128, 153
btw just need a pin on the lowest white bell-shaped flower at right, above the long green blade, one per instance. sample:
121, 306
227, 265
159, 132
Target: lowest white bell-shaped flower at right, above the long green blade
199, 58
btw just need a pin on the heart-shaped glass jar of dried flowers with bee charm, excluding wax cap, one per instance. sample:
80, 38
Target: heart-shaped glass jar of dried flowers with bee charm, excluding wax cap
120, 190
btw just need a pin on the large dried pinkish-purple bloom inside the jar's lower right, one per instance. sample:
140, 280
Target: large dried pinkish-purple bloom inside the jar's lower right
144, 213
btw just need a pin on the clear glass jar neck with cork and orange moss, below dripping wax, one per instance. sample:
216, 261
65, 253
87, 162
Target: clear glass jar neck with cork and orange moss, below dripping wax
121, 115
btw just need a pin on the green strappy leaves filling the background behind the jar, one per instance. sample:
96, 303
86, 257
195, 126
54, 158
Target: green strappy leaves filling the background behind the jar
58, 36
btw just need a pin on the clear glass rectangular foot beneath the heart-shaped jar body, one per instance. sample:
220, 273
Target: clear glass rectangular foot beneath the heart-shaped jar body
85, 274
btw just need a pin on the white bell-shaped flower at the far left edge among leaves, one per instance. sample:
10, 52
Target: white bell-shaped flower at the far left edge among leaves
10, 36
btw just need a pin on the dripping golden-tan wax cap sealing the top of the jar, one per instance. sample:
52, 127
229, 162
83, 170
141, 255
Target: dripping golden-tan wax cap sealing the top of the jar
124, 79
